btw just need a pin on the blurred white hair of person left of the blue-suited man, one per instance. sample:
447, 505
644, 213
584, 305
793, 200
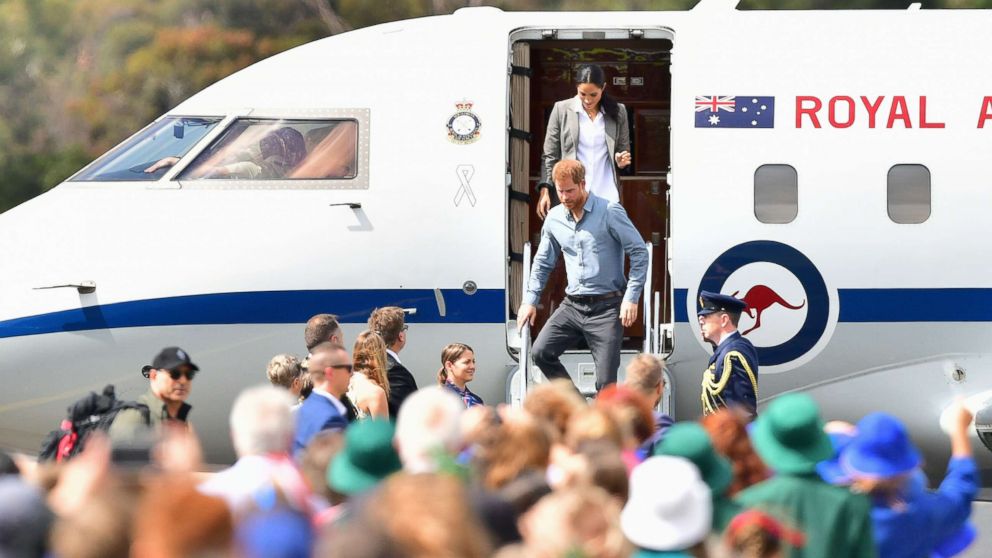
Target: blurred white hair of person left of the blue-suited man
262, 422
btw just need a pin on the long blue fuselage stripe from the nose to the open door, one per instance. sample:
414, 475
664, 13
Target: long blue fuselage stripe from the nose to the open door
266, 307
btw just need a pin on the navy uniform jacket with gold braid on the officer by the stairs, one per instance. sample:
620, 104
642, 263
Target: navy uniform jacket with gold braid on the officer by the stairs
732, 377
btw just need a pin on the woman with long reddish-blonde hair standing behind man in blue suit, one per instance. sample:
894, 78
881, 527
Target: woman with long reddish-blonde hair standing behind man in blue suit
369, 389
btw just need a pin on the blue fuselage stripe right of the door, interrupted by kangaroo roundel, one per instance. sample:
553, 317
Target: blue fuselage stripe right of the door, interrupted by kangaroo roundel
898, 305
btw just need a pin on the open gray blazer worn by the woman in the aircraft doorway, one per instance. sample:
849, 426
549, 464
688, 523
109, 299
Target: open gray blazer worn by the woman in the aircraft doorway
561, 141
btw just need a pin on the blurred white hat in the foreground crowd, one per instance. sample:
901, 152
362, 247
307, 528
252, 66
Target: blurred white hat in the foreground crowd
669, 508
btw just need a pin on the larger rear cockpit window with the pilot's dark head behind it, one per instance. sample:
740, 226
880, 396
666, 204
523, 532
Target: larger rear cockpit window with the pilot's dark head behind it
280, 149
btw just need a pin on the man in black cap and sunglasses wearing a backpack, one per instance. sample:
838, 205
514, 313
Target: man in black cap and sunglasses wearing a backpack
171, 379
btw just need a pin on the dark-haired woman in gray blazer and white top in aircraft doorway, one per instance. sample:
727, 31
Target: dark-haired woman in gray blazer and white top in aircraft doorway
590, 127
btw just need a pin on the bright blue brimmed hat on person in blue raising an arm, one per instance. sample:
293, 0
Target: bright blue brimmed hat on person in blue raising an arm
881, 449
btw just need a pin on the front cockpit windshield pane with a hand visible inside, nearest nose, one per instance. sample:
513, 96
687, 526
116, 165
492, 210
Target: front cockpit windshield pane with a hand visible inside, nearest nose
151, 152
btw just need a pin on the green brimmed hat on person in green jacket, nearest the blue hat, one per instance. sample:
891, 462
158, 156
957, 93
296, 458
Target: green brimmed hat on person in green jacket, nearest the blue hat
789, 435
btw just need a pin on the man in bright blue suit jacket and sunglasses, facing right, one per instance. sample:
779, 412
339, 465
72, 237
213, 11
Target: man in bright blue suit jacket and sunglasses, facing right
330, 369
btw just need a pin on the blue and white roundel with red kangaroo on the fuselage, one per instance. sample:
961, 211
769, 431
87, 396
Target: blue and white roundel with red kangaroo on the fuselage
790, 308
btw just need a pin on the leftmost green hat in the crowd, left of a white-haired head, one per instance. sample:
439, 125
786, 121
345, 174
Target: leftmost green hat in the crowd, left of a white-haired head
368, 457
